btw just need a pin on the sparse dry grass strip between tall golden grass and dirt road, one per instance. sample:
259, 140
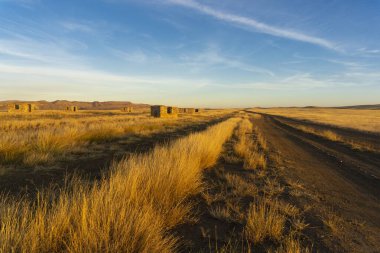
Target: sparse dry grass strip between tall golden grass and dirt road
254, 201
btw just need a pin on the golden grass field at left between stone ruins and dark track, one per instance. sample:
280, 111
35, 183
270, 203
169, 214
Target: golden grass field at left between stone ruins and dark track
41, 137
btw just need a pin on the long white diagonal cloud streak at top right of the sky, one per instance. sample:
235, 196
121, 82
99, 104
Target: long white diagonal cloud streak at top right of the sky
252, 23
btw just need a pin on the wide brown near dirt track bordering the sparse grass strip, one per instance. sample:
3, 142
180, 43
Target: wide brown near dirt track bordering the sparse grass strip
341, 179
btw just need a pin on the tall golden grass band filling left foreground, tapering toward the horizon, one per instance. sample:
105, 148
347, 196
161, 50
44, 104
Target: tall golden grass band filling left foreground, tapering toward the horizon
131, 210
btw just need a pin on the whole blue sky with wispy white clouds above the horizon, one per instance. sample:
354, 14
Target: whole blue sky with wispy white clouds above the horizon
225, 53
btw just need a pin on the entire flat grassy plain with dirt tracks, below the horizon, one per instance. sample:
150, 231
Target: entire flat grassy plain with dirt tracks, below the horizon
232, 180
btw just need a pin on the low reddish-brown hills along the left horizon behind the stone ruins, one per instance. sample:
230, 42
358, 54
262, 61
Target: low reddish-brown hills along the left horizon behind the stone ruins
62, 104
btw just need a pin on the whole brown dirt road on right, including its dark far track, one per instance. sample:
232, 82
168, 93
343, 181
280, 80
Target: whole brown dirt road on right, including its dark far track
340, 182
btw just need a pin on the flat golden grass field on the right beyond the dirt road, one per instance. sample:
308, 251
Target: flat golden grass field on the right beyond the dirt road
365, 120
